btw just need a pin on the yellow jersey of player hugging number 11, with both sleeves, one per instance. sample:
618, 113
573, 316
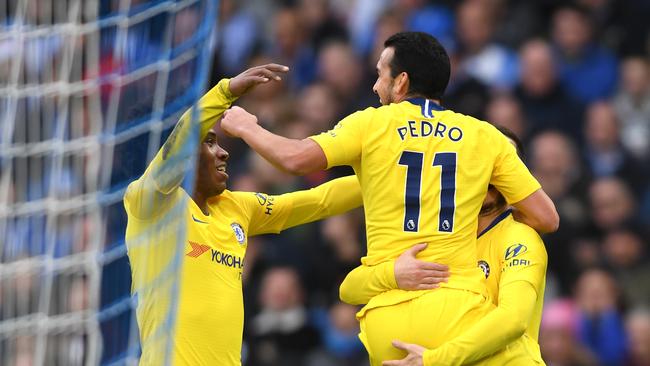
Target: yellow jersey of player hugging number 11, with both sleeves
508, 252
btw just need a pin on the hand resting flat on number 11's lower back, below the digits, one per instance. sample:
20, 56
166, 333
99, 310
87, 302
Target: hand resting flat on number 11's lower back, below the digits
414, 274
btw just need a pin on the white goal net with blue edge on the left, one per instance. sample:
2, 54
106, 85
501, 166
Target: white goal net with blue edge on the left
89, 90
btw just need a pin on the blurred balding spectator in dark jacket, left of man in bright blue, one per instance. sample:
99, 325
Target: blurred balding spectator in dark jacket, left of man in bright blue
544, 100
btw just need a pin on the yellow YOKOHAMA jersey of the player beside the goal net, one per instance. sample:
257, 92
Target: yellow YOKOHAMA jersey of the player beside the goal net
185, 260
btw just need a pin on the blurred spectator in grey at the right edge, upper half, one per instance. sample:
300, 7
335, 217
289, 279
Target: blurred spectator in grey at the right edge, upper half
632, 104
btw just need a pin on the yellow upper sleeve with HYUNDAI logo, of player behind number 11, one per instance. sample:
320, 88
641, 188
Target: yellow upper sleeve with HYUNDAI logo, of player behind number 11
524, 258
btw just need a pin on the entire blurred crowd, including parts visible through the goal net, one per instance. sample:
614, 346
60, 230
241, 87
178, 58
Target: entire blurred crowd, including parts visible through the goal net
571, 78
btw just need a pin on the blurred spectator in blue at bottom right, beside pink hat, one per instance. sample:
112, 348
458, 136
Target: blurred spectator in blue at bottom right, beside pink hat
600, 322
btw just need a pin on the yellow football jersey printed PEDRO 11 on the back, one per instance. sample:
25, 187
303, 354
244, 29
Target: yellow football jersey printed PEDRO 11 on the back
424, 173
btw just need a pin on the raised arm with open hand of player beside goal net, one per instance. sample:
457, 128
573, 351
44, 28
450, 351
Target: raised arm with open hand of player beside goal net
146, 196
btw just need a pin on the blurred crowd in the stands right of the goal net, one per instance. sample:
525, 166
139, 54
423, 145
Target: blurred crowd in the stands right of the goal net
572, 79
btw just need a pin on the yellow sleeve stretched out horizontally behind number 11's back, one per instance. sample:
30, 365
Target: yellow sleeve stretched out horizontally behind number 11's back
272, 214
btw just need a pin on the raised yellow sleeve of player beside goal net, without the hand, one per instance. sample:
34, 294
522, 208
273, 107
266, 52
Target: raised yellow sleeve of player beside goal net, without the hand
147, 197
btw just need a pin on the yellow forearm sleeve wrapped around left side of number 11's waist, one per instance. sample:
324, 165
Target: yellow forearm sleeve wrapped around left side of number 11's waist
365, 282
